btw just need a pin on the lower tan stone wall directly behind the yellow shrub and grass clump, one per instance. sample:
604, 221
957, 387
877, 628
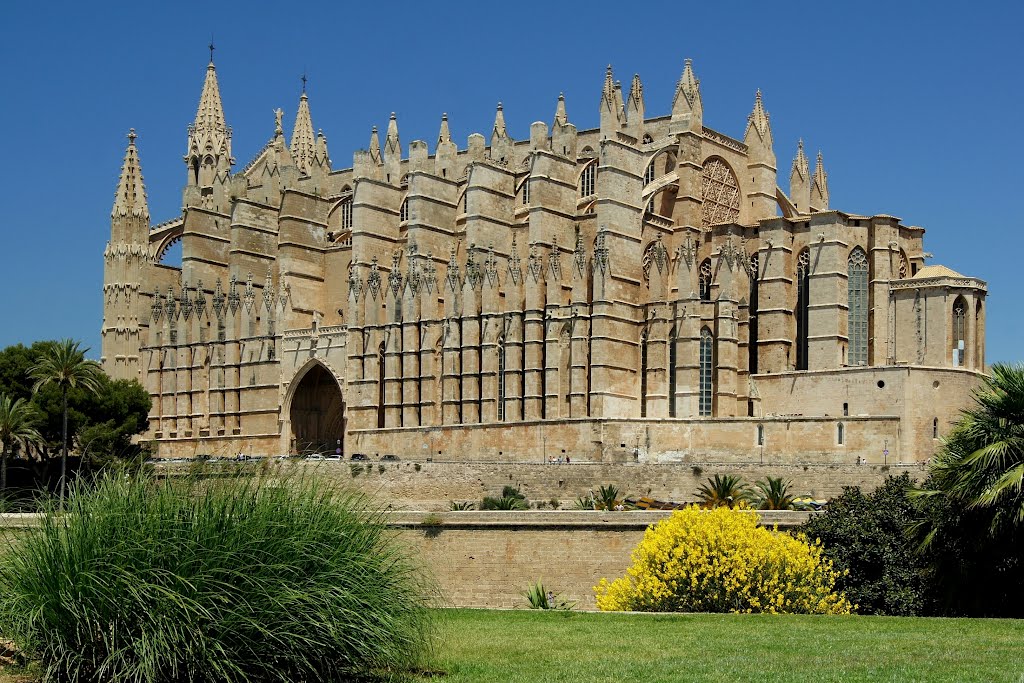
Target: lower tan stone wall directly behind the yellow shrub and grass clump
488, 560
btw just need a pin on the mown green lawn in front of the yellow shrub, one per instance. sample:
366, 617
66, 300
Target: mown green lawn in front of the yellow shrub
534, 647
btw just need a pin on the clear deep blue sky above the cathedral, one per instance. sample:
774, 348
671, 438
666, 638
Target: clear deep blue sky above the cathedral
918, 109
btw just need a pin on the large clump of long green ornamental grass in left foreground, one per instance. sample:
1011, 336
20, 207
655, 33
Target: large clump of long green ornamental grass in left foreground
215, 580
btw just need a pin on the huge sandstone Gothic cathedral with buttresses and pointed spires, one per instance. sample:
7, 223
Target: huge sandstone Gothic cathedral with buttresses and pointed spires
646, 291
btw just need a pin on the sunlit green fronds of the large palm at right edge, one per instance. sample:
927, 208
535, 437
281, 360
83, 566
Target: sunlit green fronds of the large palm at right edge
982, 464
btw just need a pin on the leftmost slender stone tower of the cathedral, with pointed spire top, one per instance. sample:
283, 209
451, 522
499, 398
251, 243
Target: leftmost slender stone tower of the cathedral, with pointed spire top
124, 260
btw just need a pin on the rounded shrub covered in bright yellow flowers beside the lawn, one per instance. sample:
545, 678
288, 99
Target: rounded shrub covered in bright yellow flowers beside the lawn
721, 562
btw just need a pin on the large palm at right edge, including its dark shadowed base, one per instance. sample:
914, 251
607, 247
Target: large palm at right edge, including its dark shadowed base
970, 527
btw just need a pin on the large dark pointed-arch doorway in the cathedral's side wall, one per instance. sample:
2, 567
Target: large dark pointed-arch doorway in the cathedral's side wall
316, 413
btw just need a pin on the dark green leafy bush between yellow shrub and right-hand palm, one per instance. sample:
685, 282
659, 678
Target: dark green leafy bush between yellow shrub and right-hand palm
865, 535
